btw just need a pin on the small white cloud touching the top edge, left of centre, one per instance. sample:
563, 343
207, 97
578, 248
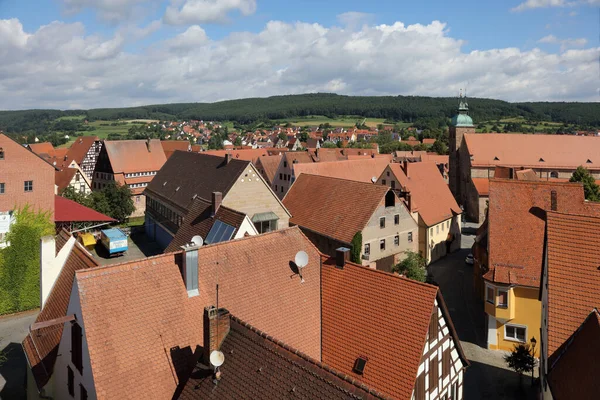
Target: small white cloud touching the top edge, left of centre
206, 11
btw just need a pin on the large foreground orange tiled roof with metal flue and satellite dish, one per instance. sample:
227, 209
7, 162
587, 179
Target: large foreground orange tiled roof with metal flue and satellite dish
141, 326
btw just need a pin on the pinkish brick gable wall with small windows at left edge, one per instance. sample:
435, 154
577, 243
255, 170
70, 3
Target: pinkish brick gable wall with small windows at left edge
20, 165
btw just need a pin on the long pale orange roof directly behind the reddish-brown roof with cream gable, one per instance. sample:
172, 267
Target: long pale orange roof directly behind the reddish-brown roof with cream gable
362, 170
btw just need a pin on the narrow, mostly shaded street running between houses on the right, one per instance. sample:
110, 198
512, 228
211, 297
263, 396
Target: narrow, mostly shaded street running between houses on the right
488, 376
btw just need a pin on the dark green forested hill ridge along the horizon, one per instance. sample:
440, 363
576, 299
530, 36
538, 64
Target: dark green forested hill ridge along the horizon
397, 108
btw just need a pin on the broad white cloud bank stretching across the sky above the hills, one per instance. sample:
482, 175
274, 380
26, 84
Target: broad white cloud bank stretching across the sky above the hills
59, 66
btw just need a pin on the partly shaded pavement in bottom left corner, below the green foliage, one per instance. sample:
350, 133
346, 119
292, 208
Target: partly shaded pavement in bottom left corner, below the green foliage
13, 330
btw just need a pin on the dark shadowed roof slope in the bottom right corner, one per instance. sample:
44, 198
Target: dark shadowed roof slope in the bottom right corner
574, 374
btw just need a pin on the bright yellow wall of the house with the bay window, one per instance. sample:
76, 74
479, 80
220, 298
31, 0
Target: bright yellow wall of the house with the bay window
525, 309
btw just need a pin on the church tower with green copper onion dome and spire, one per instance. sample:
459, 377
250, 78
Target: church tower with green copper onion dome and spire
461, 124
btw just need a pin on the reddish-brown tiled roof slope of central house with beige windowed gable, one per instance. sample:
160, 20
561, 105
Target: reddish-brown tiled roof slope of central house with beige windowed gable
333, 207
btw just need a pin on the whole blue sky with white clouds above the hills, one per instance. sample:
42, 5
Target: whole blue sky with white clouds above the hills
71, 54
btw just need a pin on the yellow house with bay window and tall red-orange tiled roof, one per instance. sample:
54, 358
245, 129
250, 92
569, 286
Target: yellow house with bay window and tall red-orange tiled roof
509, 253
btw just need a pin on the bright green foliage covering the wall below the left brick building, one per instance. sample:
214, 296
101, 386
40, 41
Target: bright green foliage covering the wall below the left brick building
20, 262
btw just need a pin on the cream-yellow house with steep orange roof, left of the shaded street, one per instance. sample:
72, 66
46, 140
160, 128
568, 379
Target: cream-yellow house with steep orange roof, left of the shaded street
432, 206
